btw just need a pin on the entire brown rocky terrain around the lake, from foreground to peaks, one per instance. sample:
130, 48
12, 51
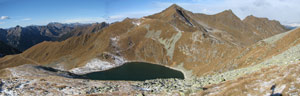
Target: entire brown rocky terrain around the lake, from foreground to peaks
212, 51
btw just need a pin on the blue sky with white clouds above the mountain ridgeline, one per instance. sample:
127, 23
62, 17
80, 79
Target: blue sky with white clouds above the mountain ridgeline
41, 12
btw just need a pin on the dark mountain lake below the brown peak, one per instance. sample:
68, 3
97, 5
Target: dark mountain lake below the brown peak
135, 71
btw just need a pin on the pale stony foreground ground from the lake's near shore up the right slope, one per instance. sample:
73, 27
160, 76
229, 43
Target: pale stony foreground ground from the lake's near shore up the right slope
280, 71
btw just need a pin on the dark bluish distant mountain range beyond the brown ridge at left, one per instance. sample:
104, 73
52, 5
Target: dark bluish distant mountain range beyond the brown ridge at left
23, 38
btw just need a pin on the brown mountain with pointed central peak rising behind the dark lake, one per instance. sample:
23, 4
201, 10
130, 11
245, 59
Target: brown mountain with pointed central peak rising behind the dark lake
196, 44
